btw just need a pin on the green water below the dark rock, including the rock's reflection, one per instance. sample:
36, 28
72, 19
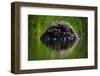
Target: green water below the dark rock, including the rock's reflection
39, 50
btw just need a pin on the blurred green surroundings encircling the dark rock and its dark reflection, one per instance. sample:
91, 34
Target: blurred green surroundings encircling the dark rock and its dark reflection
37, 25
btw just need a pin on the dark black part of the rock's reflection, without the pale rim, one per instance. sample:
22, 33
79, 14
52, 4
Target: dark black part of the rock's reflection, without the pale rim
59, 45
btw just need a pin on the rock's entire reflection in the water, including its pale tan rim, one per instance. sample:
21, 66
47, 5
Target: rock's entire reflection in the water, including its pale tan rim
60, 48
